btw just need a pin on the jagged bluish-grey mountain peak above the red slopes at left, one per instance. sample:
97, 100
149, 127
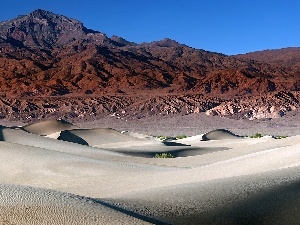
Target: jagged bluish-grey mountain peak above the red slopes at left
44, 29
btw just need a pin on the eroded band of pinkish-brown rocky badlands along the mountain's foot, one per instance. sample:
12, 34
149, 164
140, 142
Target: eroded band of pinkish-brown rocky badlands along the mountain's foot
136, 107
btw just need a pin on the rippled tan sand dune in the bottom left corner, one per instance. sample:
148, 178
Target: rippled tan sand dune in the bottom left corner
29, 206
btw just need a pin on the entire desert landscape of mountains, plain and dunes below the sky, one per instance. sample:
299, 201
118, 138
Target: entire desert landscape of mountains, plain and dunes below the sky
101, 130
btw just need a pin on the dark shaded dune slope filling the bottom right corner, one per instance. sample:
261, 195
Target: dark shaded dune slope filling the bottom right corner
267, 198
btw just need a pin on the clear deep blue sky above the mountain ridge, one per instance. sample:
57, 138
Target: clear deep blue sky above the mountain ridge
229, 27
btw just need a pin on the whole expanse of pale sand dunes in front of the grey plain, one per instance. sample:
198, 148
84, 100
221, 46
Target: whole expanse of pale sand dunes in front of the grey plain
103, 176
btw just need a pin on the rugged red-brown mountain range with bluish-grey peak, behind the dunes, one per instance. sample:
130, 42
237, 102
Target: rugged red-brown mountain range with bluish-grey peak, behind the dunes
44, 55
